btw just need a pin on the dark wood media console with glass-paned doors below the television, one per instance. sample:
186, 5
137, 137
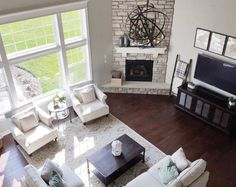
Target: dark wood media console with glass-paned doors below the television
207, 106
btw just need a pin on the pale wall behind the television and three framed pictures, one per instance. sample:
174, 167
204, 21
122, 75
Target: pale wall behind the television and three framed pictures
215, 15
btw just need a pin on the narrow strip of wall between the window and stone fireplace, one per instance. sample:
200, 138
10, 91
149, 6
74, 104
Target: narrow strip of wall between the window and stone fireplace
100, 29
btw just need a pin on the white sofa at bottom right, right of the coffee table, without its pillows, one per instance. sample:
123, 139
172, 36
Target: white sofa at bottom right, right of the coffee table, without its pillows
193, 176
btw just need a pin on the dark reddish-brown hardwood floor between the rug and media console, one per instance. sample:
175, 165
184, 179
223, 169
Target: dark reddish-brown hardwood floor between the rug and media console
156, 119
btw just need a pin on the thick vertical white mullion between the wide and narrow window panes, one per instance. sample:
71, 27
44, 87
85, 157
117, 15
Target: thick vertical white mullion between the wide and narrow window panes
62, 52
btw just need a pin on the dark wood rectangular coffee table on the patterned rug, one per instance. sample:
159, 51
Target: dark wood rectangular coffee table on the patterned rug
108, 167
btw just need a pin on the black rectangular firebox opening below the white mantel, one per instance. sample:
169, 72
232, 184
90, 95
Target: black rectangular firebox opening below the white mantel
138, 70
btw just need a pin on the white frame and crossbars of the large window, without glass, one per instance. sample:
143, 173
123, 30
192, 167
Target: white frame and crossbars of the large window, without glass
60, 47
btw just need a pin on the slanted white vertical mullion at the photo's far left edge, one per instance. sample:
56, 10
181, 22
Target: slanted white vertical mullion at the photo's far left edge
8, 75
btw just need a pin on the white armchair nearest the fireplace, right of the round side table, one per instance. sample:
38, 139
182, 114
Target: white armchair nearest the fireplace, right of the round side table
91, 110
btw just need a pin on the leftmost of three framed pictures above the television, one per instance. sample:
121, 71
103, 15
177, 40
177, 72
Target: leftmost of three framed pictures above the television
202, 38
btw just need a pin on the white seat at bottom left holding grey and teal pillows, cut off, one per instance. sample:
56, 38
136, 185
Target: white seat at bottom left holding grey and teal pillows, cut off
33, 179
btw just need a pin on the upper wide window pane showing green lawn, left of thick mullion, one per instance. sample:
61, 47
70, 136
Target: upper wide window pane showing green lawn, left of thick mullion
27, 34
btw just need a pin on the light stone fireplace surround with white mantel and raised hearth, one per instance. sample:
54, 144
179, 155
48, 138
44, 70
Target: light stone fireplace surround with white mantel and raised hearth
120, 11
